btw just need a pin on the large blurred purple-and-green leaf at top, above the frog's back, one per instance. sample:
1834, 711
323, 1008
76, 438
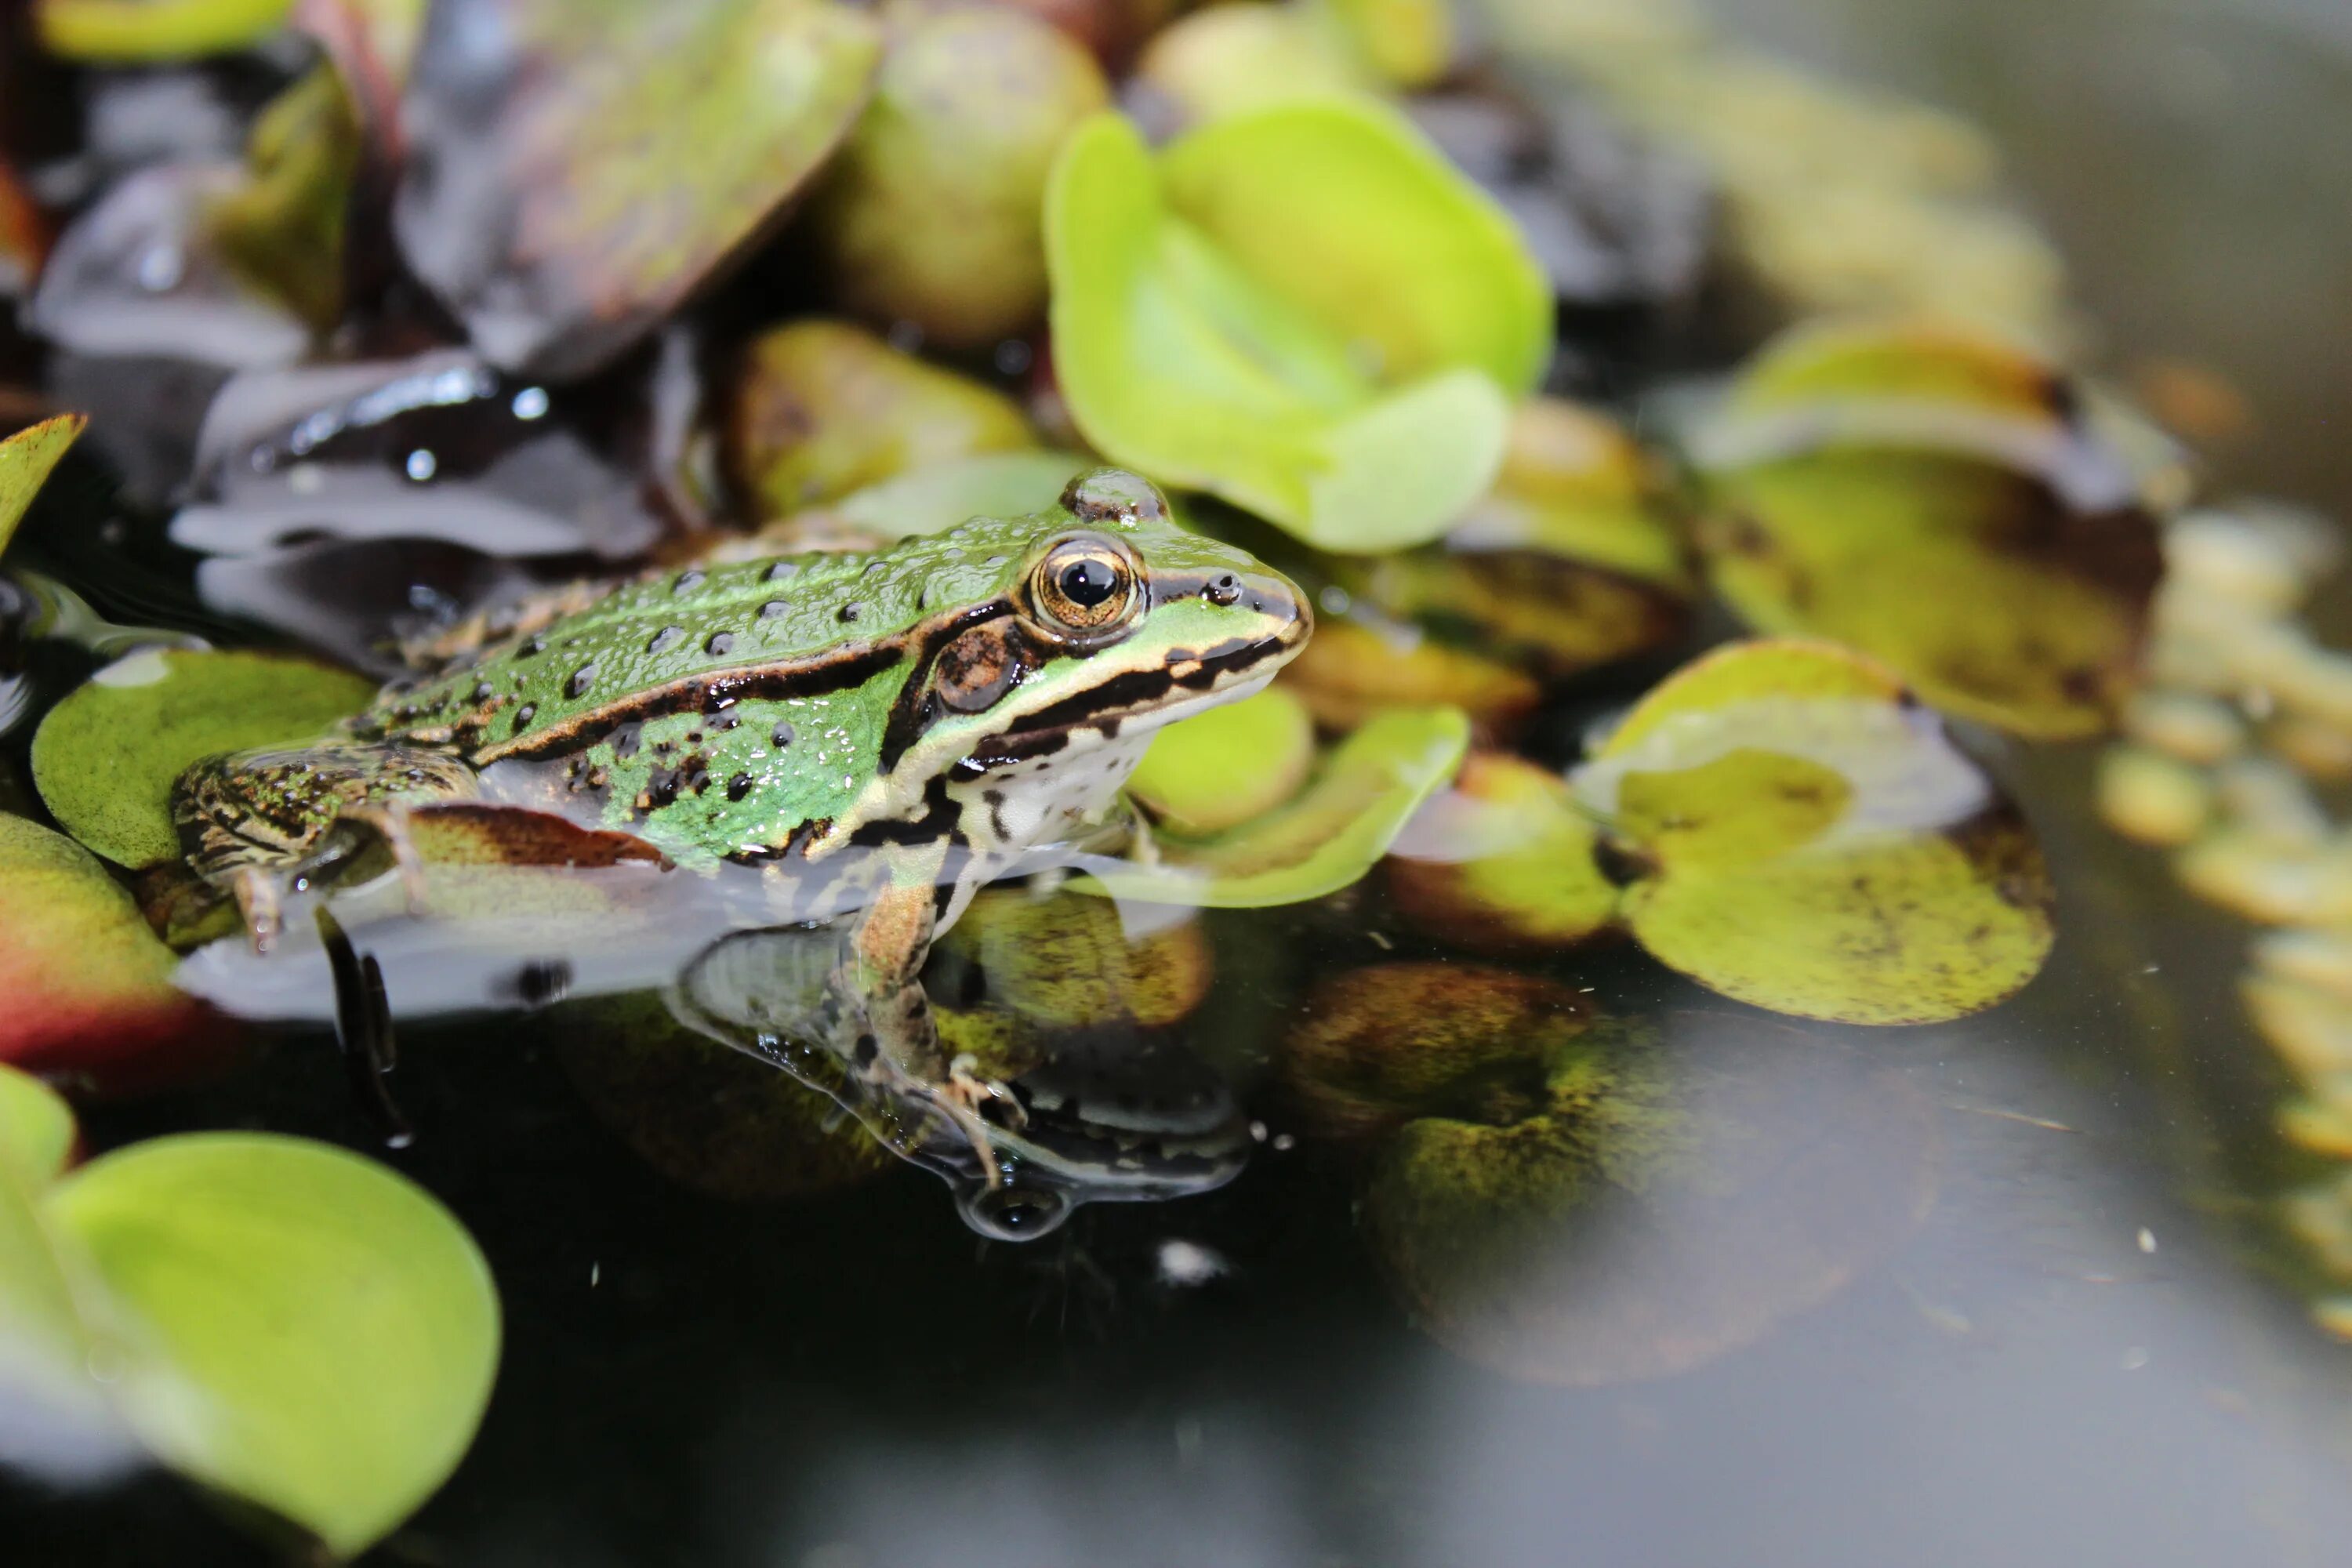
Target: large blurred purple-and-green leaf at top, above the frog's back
580, 170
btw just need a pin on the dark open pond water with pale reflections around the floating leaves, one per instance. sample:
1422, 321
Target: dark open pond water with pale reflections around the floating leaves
1993, 1292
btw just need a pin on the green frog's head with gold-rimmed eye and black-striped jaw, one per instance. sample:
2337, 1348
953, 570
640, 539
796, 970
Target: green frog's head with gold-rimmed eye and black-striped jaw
1109, 622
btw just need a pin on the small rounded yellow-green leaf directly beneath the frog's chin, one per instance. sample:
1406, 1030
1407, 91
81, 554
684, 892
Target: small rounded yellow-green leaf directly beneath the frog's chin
1229, 765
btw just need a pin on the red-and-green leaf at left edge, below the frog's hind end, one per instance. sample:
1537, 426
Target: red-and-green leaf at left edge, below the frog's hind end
88, 986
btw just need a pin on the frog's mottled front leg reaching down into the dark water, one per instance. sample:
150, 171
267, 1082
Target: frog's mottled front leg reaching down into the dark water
886, 981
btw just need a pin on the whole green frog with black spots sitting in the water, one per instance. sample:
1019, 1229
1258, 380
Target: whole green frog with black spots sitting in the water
881, 735
